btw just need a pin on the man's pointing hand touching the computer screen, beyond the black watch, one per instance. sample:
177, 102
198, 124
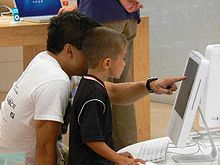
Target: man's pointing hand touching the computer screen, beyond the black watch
166, 85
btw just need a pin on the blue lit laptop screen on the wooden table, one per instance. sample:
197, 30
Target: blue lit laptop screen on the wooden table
37, 7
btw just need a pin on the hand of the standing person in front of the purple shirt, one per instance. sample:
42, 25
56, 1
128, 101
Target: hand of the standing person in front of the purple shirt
131, 5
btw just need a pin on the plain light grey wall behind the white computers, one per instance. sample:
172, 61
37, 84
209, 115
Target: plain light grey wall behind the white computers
176, 27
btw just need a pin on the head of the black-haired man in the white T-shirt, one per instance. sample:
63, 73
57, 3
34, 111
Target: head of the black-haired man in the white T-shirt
65, 33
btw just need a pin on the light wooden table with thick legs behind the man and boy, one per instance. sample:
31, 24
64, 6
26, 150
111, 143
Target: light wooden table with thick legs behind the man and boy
32, 36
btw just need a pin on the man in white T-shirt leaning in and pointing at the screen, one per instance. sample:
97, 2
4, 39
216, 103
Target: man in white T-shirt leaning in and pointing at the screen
32, 112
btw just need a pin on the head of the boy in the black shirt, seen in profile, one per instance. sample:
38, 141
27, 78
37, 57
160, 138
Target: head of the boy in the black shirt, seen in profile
105, 49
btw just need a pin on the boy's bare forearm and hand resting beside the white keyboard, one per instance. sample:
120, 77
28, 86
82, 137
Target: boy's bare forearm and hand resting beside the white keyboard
105, 151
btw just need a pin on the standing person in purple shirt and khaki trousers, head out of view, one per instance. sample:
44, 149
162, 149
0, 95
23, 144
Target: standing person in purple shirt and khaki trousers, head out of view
122, 16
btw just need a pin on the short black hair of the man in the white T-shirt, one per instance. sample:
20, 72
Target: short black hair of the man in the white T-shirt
69, 27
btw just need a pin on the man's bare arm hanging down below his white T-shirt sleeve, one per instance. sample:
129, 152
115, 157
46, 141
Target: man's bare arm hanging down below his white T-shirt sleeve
46, 137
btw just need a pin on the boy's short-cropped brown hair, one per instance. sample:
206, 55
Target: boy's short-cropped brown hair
102, 42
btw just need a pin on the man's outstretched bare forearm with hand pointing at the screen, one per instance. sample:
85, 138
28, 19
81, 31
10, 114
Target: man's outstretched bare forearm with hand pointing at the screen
128, 93
